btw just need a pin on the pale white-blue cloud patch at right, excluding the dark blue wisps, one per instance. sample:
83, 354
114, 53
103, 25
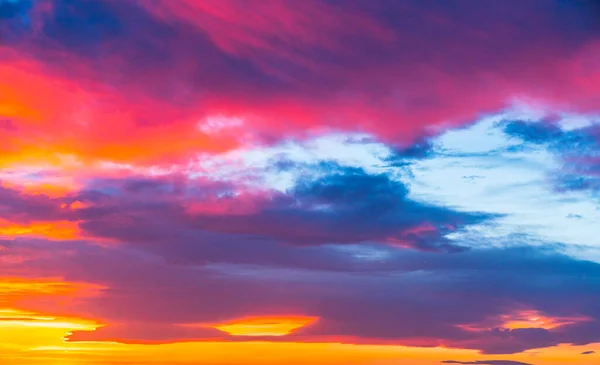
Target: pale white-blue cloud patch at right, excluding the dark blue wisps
478, 169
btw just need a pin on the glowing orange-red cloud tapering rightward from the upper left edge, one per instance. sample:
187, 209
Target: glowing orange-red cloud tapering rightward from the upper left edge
51, 117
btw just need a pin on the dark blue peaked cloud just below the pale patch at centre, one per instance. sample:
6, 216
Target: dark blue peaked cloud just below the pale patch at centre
348, 206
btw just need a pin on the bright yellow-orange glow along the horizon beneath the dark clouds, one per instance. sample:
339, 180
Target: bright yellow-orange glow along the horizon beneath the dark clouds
30, 338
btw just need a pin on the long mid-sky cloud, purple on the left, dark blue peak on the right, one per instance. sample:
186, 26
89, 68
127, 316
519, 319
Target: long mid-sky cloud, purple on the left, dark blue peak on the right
346, 205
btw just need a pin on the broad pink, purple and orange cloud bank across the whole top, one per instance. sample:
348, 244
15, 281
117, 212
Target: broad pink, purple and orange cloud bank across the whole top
281, 80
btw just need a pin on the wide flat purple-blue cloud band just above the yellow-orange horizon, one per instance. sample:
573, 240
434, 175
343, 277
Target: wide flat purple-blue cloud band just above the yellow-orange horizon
363, 299
